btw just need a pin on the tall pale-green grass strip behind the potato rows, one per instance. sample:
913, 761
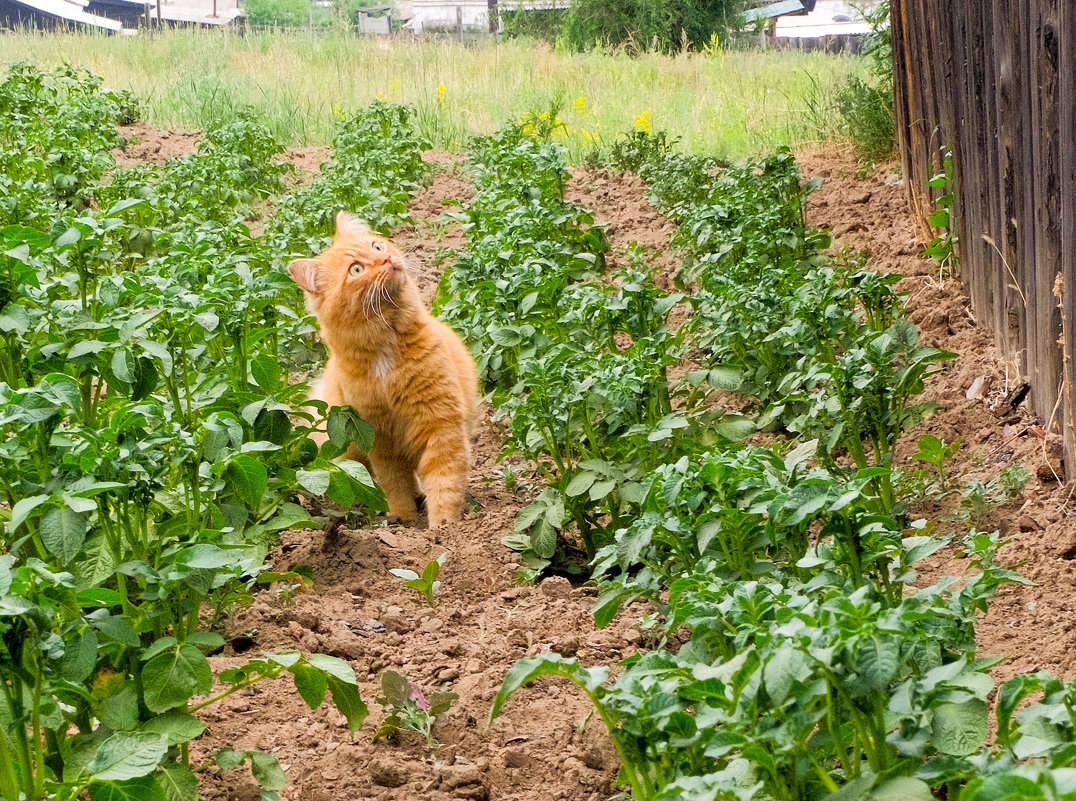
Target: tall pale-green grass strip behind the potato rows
727, 104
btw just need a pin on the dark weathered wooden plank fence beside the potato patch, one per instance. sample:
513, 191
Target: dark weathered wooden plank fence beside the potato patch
995, 81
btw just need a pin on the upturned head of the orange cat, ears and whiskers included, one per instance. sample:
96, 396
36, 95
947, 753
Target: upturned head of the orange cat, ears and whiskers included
363, 274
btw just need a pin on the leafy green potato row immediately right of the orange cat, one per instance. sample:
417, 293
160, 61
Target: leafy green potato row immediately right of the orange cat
577, 360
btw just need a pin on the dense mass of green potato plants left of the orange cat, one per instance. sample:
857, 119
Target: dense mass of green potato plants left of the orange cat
151, 441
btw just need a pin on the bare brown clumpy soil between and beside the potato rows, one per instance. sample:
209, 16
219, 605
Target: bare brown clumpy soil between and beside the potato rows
545, 747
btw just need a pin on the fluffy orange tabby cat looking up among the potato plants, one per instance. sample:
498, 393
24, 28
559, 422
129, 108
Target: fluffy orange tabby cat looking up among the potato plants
403, 371
